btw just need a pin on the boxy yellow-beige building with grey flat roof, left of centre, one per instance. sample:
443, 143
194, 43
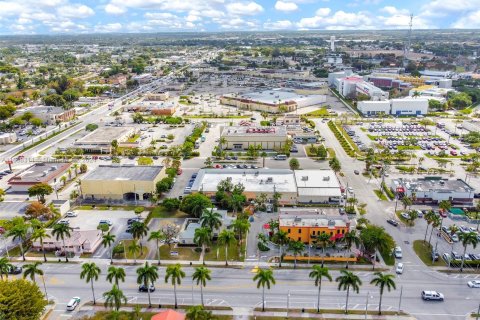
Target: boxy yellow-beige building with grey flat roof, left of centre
116, 182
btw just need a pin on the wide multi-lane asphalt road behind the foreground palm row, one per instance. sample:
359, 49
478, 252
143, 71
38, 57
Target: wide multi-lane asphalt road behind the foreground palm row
235, 288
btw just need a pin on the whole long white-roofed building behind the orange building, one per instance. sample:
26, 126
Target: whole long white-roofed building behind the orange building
299, 186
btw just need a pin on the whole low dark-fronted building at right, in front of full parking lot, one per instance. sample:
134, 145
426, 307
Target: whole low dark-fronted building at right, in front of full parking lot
434, 190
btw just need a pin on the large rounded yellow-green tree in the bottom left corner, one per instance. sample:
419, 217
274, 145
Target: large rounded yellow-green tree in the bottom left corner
21, 300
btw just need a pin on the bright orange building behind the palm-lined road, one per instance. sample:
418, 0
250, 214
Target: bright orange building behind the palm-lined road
306, 228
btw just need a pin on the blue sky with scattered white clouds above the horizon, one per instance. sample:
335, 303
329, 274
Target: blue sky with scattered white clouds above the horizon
132, 16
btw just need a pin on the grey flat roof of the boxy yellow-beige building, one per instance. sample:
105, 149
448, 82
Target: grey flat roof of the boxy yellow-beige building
125, 172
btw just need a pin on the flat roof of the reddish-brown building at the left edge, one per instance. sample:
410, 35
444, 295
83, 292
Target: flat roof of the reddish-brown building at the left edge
39, 172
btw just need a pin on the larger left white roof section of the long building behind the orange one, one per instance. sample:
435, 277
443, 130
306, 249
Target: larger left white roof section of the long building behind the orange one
254, 180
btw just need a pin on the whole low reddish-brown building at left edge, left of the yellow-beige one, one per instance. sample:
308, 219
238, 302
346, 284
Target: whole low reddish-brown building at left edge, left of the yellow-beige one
48, 173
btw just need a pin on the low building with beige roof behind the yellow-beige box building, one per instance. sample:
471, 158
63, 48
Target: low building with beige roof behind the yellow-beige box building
100, 140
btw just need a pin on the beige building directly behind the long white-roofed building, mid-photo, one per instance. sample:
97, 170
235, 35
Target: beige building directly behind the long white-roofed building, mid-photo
240, 138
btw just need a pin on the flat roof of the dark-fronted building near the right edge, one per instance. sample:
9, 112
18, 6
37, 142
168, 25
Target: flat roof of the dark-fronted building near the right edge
435, 184
